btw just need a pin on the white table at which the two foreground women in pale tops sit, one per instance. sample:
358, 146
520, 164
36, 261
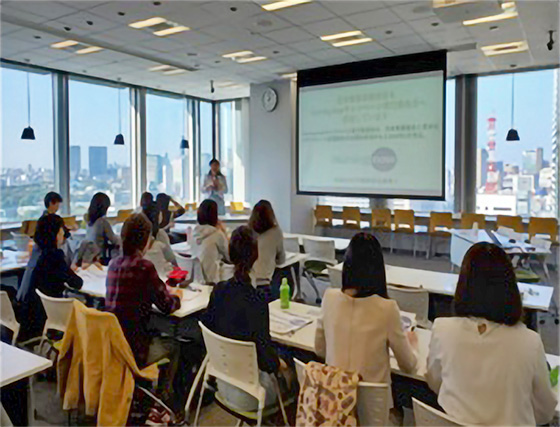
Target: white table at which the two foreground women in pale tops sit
304, 339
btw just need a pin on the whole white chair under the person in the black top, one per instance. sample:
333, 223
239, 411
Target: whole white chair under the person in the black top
235, 362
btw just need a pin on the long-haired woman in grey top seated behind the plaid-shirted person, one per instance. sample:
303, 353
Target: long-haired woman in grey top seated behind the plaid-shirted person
99, 230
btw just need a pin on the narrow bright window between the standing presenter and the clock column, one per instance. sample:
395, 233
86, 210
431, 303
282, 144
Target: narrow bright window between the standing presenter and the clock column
232, 154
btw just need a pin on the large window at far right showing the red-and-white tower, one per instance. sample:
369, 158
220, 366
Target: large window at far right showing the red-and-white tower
516, 177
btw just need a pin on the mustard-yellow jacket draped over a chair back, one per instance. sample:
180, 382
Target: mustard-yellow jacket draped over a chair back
96, 366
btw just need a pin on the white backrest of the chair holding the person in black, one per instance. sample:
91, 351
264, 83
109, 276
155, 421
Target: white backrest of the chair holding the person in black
232, 361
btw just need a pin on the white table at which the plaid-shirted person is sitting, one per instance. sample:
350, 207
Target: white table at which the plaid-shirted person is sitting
195, 297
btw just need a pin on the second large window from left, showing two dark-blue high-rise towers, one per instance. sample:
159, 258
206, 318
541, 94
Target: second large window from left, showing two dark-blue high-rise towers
96, 163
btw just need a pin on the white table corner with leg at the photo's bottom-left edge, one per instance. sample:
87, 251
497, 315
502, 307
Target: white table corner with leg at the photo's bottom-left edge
16, 365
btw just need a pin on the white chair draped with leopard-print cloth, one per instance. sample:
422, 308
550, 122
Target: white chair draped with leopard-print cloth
373, 399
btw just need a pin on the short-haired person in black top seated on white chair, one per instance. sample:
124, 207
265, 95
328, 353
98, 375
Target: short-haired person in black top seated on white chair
239, 311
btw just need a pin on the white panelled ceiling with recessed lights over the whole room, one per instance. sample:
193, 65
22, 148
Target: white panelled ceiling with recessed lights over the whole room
288, 37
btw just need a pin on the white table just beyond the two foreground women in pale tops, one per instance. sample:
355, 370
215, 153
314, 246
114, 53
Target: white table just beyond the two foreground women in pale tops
535, 297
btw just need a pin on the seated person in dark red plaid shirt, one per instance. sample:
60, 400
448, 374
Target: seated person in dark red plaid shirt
133, 286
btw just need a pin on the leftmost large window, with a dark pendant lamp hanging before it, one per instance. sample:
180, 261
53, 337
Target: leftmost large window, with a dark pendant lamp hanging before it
27, 171
